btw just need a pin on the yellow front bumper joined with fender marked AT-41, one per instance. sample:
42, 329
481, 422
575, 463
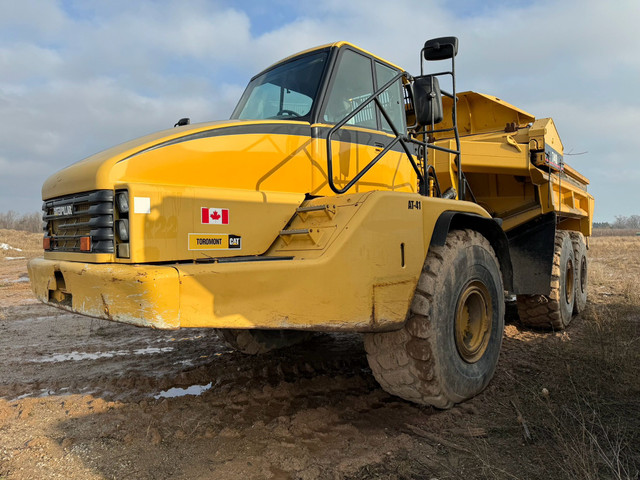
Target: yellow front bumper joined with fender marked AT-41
355, 282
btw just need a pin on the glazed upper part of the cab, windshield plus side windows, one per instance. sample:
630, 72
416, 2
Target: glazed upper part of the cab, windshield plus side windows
322, 87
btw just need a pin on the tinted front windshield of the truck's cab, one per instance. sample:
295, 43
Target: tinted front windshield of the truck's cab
285, 92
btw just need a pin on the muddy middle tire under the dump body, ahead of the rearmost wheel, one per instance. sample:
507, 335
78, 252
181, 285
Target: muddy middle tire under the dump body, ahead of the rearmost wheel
553, 311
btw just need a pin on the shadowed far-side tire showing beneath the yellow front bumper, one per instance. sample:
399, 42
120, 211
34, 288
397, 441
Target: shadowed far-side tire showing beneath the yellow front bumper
255, 342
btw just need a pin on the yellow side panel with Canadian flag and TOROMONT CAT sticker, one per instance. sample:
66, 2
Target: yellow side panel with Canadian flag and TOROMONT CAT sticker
179, 225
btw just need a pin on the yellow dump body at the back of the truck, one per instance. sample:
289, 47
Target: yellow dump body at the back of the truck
514, 164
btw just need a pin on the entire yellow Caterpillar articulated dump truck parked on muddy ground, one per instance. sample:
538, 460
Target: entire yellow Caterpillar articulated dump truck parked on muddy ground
343, 195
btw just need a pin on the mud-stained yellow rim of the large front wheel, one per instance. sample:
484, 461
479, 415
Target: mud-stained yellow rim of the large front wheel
473, 321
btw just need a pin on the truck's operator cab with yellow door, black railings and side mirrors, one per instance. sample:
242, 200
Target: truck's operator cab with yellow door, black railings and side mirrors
349, 96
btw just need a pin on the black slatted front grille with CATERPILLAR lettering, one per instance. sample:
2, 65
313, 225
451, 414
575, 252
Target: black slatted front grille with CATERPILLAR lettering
67, 219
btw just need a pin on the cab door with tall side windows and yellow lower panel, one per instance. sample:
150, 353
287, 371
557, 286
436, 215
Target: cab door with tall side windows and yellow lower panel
354, 79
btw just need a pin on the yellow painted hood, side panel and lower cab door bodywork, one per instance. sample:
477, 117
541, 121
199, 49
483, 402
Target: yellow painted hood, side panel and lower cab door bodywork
260, 178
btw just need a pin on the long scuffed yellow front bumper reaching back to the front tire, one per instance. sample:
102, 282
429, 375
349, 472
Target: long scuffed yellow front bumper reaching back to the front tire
274, 294
